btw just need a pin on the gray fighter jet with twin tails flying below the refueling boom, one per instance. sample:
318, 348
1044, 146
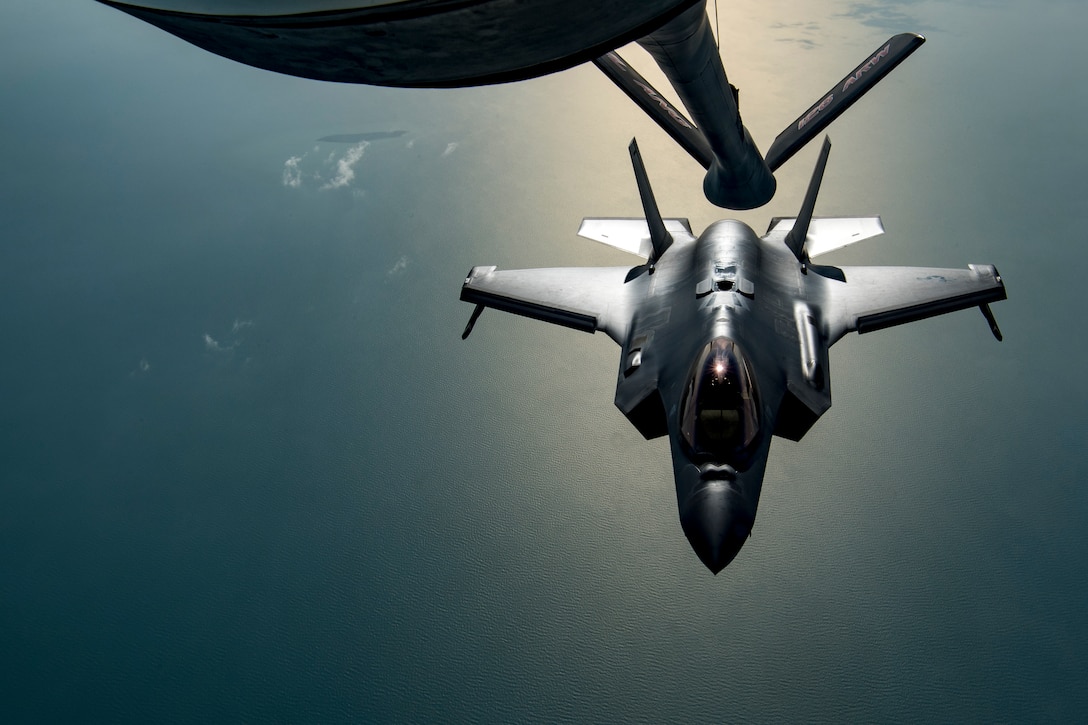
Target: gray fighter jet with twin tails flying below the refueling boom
725, 337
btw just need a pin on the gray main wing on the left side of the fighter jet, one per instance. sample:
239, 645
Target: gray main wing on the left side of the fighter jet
587, 299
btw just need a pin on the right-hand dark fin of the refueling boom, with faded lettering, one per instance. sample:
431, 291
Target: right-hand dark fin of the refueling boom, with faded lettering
843, 96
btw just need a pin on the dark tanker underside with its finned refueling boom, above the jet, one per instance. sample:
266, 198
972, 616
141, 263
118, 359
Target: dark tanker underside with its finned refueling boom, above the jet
442, 44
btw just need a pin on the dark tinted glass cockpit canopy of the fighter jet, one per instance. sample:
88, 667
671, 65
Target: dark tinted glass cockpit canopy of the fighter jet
720, 413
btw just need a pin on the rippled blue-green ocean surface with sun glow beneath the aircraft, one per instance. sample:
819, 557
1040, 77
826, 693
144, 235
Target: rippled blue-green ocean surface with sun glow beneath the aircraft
251, 473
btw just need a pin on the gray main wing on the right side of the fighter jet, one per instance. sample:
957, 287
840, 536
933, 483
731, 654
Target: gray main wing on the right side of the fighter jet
869, 299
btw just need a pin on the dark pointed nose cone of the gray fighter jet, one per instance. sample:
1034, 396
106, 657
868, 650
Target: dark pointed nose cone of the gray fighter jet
716, 524
